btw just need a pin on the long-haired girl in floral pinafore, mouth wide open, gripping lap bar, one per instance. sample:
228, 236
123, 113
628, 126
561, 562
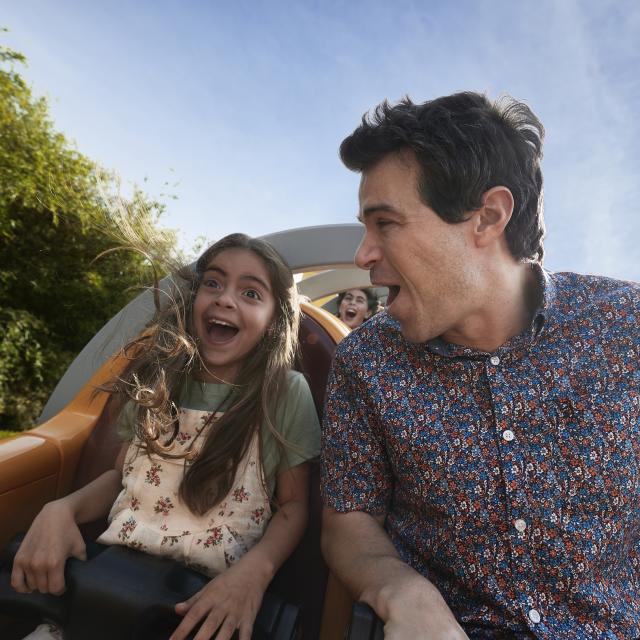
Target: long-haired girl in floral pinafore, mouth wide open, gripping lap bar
220, 430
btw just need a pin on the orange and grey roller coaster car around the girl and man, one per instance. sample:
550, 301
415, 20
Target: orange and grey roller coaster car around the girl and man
76, 442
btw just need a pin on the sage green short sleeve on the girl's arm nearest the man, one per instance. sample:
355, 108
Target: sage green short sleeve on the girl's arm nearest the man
297, 422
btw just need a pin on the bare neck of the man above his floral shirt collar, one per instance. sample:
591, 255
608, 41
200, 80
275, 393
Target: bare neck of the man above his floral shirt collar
508, 302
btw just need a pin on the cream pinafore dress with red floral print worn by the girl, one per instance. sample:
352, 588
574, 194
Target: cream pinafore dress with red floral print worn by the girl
148, 514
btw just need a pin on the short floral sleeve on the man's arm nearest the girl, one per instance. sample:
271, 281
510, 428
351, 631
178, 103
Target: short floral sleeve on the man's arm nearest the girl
355, 472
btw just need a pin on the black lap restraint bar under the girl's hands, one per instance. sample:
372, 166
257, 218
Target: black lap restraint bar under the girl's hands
122, 593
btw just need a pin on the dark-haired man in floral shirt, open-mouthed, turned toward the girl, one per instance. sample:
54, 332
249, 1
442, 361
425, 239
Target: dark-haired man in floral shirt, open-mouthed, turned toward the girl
481, 450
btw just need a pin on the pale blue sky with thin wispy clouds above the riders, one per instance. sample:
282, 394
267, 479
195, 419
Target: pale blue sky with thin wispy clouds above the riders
240, 106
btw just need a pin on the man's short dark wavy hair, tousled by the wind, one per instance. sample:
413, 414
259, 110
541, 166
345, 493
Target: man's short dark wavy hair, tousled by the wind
464, 145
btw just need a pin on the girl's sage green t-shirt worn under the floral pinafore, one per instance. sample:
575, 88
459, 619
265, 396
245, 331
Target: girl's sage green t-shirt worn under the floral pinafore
296, 420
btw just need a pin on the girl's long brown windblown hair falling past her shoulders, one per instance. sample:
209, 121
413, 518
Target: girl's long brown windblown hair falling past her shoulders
161, 358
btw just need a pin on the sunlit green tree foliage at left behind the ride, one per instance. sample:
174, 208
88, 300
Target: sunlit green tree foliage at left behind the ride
55, 290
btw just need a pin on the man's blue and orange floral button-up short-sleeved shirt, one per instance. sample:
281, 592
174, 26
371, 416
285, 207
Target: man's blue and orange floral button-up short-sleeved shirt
511, 479
